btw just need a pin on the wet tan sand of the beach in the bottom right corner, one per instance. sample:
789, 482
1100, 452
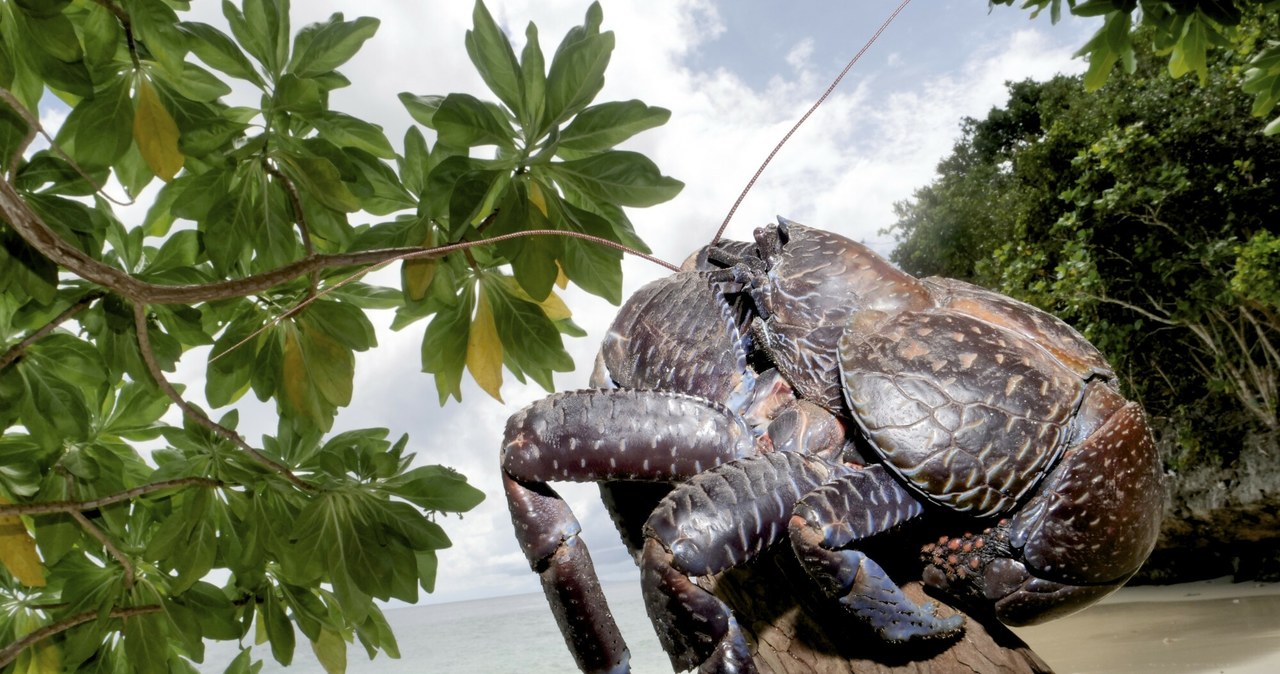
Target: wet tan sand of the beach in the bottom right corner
1205, 627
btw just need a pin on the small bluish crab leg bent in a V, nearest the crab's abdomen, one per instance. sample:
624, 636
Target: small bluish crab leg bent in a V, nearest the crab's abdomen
845, 511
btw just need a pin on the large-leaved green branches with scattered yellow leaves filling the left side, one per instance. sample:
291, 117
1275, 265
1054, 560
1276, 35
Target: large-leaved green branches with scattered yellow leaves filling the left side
126, 542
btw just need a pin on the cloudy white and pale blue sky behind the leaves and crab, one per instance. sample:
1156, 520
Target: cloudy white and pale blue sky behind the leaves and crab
737, 76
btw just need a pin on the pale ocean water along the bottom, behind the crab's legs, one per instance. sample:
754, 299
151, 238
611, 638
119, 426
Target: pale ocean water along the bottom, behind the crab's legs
491, 636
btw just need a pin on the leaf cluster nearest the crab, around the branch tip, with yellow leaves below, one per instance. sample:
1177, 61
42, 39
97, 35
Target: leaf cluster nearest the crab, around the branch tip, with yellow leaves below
555, 167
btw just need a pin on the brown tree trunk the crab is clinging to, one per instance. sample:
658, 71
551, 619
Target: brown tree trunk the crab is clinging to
796, 631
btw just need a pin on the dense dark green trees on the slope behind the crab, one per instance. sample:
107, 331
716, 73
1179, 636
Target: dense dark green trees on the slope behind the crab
1144, 213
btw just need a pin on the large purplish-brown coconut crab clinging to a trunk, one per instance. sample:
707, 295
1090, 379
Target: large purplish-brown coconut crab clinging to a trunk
801, 389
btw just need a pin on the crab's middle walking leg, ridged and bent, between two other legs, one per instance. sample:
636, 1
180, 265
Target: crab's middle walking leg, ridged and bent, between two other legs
716, 521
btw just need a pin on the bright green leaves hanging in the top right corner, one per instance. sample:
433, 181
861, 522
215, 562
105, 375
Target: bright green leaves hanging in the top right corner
1187, 34
